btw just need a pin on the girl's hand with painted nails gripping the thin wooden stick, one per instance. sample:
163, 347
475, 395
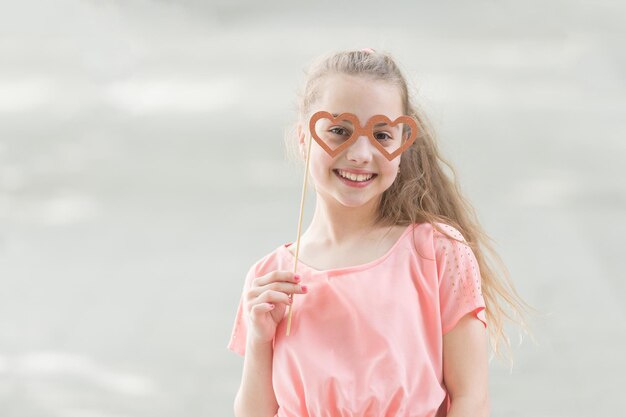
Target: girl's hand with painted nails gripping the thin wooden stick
266, 301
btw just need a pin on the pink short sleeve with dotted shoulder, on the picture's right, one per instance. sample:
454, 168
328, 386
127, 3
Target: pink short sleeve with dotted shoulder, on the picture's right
459, 279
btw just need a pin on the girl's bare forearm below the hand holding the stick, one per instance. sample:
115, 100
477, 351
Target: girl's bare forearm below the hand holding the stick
256, 397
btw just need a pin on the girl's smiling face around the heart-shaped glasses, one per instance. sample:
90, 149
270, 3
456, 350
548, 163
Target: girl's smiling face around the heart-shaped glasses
364, 98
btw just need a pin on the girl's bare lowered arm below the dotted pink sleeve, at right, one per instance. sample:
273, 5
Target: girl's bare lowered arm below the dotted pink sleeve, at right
465, 368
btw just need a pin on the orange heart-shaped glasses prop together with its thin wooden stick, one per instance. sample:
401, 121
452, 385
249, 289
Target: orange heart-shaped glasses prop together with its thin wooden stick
335, 133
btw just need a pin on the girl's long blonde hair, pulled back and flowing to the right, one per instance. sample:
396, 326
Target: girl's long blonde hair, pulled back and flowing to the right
423, 192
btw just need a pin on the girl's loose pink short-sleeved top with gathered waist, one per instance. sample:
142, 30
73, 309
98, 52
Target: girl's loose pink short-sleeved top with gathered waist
367, 339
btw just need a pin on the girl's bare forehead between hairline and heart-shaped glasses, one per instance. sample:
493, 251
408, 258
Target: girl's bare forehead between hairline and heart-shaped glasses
361, 96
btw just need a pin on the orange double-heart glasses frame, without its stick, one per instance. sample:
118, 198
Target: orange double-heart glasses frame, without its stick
360, 130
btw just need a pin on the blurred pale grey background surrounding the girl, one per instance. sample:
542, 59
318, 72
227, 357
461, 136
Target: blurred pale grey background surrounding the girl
142, 172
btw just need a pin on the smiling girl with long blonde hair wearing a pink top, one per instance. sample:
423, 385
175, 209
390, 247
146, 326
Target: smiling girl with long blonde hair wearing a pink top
393, 289
